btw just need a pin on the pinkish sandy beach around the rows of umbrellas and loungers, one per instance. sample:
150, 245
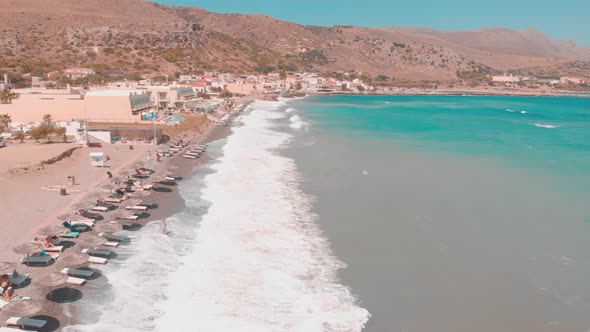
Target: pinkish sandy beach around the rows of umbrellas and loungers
32, 201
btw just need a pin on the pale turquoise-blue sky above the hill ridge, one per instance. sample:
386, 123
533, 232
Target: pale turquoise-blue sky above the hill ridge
560, 19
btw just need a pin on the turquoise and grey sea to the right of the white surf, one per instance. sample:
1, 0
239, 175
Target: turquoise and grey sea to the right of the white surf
453, 213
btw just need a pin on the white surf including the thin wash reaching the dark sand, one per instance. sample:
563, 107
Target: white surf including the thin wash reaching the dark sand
245, 255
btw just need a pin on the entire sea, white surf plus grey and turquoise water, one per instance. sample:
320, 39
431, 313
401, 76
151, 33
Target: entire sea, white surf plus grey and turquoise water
358, 213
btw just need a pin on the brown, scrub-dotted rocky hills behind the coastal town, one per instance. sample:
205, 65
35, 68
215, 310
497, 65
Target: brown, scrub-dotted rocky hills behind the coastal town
136, 37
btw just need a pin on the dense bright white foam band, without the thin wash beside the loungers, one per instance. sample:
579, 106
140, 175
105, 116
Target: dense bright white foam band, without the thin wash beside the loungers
260, 262
